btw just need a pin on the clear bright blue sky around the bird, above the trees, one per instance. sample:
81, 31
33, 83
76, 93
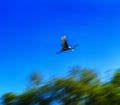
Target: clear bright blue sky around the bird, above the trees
30, 33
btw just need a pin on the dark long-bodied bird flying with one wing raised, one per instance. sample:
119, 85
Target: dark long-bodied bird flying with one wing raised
65, 46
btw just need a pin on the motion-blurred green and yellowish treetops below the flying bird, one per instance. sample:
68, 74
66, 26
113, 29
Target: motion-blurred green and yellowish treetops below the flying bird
81, 87
